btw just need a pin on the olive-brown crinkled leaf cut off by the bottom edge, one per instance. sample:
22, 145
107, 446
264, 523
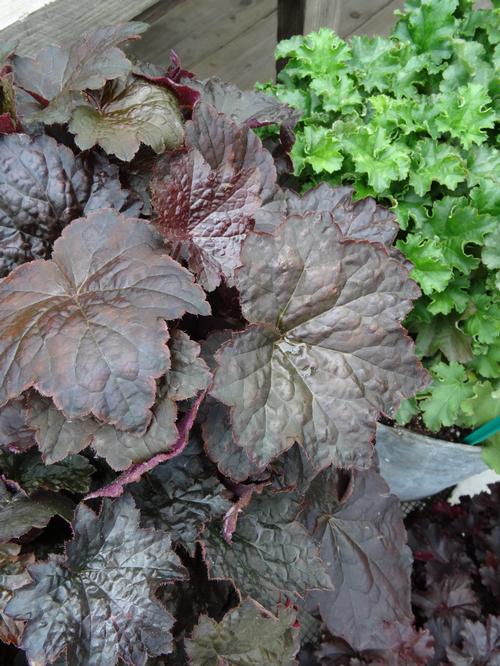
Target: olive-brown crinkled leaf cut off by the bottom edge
246, 636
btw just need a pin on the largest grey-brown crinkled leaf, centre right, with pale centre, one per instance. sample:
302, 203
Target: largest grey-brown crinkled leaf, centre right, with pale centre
328, 354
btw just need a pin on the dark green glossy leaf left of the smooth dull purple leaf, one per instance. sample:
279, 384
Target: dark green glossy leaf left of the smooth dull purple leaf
270, 554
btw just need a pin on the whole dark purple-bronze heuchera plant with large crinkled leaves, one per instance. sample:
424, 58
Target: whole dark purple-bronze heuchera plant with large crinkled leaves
207, 350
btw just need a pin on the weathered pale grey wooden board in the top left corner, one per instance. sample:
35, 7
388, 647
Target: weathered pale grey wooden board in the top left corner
61, 21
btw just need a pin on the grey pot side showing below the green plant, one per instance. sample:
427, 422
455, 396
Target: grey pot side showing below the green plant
416, 466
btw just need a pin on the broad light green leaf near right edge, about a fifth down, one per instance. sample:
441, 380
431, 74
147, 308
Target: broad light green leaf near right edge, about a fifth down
465, 114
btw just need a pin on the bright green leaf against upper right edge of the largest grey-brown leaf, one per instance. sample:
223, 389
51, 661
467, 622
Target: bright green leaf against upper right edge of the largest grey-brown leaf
430, 268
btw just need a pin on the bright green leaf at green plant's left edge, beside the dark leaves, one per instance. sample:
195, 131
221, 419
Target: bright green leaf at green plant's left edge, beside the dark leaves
317, 147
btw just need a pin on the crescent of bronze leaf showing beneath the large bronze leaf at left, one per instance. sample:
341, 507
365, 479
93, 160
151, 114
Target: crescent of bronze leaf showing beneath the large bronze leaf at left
58, 437
